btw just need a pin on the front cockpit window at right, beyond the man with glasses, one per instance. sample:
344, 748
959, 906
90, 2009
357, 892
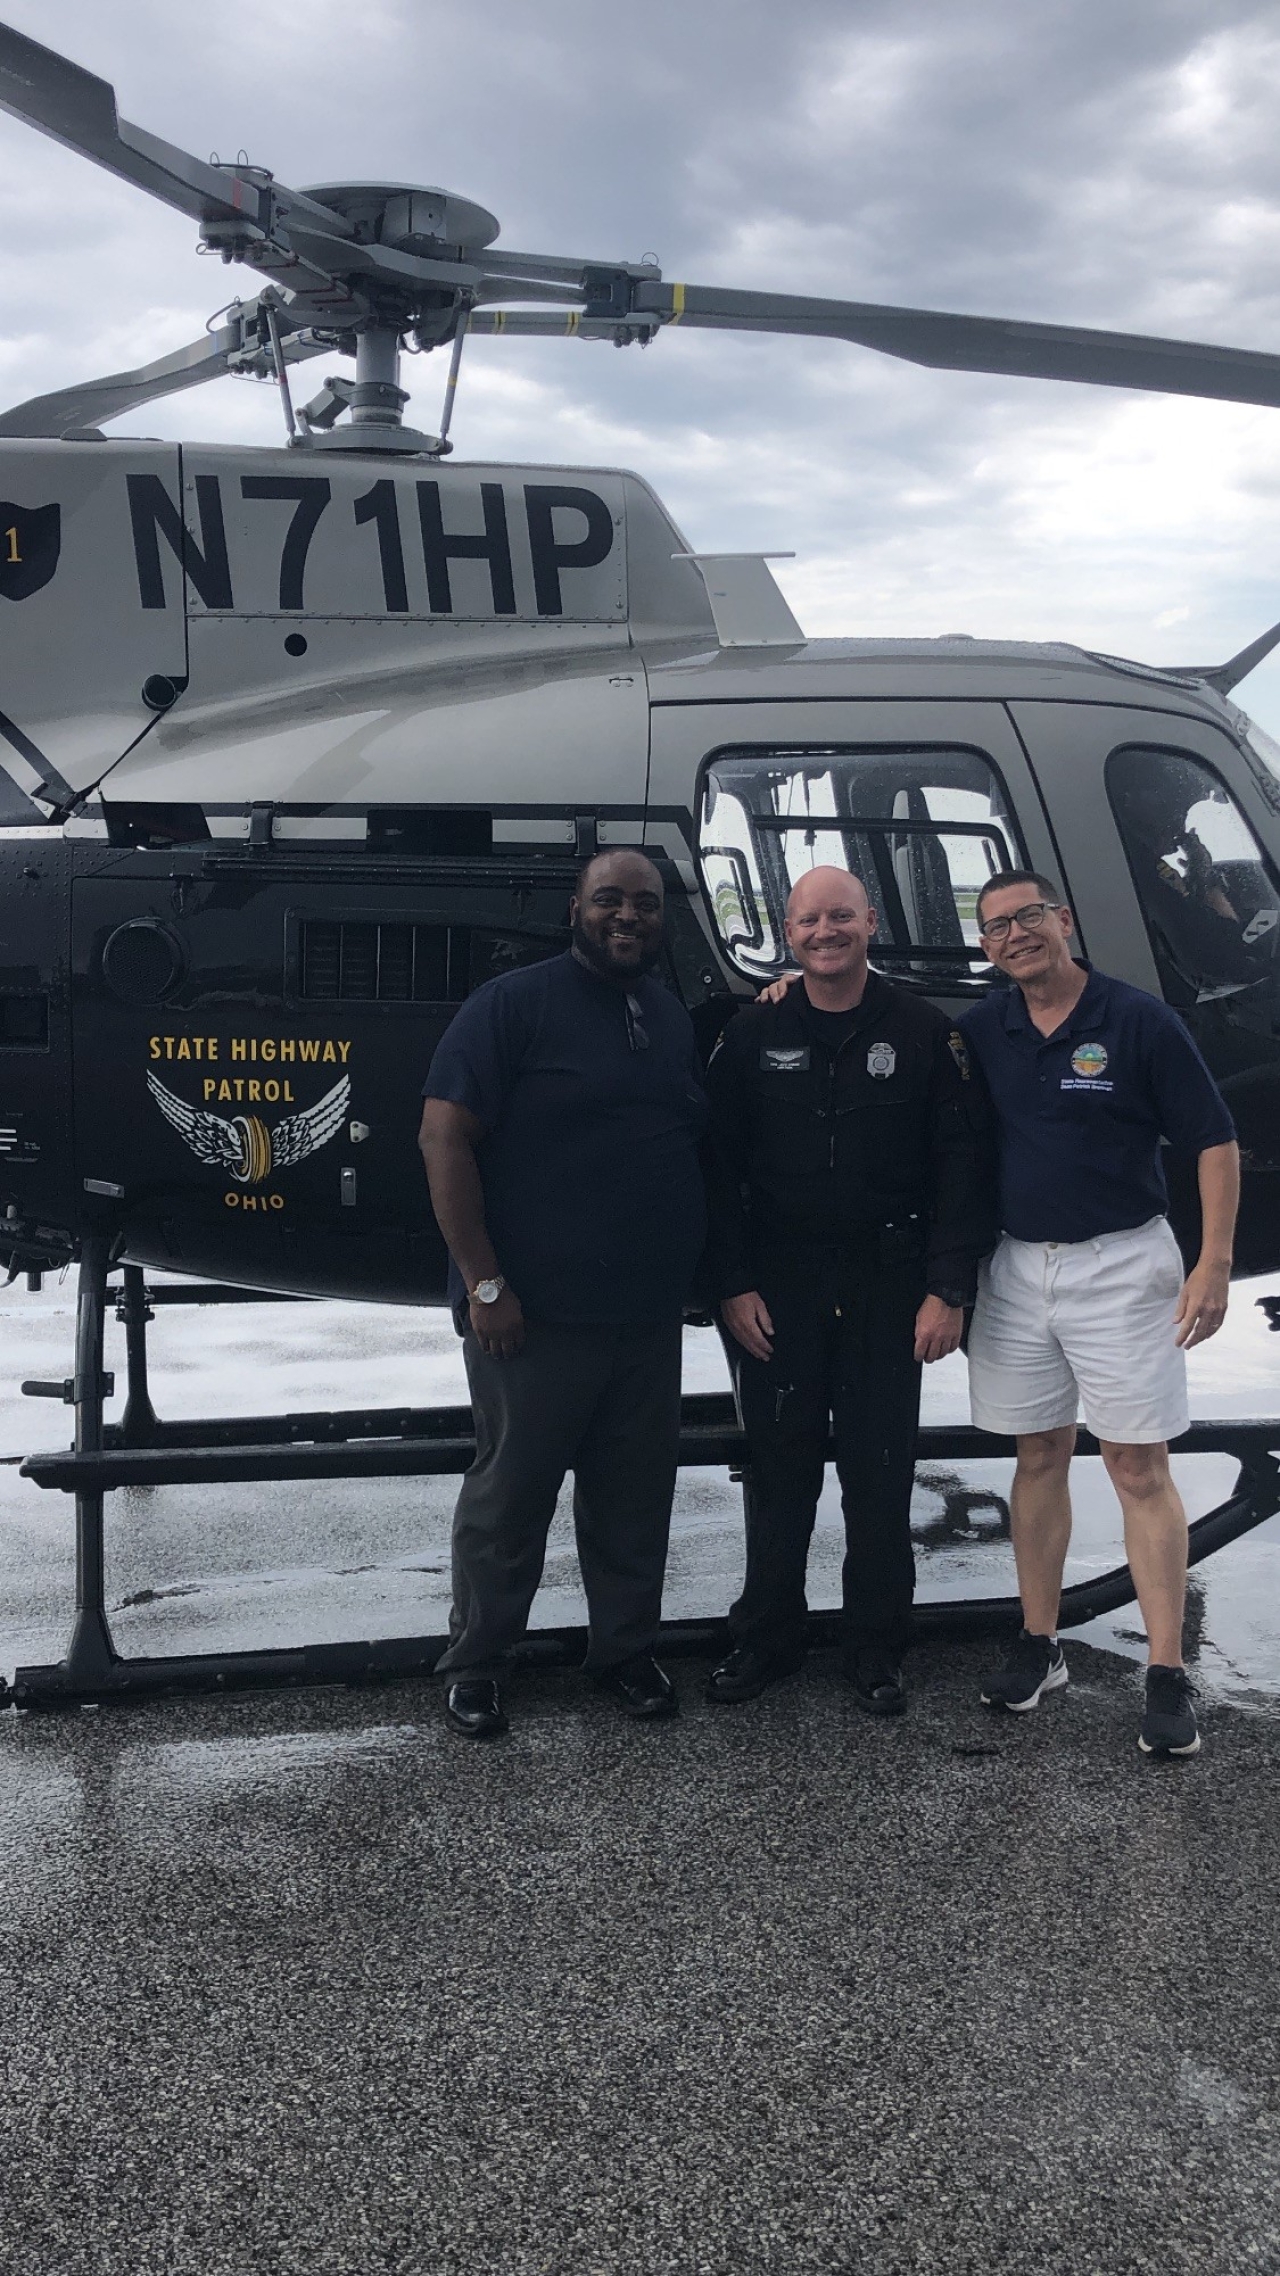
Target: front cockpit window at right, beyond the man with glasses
1208, 896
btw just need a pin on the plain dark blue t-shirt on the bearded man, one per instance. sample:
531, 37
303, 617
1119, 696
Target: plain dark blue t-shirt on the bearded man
589, 1162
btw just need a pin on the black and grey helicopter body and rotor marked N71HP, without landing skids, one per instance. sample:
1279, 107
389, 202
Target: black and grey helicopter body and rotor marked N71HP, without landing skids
302, 745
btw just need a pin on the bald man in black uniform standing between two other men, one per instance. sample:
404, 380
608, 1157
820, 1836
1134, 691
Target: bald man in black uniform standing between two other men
851, 1203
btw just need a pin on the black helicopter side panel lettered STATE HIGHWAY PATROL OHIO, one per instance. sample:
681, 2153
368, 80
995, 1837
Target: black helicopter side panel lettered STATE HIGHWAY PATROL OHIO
252, 1048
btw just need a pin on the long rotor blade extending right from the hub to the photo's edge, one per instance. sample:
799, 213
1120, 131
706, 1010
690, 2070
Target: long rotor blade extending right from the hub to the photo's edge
1033, 352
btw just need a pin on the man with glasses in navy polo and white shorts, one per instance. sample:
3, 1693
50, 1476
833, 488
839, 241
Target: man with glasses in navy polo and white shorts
1085, 1303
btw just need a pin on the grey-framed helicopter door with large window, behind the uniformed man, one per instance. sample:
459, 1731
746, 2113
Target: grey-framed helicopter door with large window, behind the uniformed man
924, 800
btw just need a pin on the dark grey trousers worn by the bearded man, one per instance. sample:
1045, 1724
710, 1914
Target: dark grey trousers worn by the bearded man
602, 1403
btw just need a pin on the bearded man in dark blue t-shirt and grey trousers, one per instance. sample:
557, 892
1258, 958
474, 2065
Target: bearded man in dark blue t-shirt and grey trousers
561, 1128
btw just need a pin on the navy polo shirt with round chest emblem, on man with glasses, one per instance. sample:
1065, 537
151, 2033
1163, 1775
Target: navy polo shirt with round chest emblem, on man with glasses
1081, 1114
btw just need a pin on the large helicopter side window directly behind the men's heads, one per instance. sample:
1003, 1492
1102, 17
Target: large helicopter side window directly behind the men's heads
924, 830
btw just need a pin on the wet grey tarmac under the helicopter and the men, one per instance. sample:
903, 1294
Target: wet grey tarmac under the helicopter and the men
304, 1984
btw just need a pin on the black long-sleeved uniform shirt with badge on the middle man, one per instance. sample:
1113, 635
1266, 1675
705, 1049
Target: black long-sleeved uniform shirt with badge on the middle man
817, 1146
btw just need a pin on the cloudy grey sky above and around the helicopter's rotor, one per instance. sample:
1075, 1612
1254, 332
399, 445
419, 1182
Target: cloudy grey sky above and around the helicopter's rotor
1094, 163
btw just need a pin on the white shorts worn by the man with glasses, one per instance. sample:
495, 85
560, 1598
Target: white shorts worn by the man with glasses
1060, 1323
